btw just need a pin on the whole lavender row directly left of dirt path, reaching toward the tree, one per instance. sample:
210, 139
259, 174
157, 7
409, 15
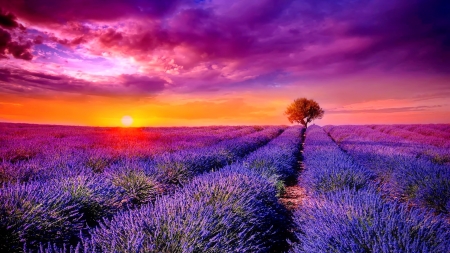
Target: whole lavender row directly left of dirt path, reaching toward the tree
234, 209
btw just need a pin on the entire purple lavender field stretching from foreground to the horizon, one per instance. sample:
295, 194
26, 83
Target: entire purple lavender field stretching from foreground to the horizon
372, 188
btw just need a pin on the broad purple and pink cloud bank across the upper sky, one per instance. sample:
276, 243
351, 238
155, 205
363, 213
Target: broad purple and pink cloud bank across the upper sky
248, 42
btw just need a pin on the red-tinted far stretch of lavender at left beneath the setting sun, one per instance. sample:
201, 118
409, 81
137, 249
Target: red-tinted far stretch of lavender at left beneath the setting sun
35, 152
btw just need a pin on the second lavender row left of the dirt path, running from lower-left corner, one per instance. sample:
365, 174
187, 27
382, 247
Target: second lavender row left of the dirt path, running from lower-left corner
57, 209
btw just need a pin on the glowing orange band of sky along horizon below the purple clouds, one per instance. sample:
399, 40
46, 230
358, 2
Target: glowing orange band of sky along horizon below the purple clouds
342, 103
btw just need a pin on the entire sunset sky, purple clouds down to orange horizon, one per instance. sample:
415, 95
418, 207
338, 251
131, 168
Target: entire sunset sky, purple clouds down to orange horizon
223, 62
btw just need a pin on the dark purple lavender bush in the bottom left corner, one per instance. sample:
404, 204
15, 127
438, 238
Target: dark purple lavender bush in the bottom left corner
33, 212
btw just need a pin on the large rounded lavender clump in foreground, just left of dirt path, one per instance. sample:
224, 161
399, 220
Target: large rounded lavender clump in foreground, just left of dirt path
232, 210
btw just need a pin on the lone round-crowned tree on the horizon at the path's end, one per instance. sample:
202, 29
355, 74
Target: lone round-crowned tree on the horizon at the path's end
303, 111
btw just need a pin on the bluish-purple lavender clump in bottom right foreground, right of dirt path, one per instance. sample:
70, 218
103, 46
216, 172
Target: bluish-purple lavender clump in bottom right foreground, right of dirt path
360, 221
